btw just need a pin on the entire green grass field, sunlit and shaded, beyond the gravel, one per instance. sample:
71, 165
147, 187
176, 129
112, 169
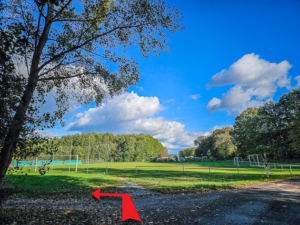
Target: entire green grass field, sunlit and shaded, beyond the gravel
162, 177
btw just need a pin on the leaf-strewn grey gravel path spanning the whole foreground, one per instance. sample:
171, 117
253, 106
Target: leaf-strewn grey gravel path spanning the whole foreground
272, 203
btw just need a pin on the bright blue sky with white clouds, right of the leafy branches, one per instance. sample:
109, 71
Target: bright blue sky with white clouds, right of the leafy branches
231, 55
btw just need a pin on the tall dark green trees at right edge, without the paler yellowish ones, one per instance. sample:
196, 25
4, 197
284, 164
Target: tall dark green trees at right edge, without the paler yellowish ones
272, 129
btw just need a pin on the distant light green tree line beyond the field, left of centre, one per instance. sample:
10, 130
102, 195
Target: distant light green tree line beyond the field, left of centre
94, 146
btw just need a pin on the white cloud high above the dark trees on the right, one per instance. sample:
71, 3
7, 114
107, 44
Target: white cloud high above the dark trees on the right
255, 81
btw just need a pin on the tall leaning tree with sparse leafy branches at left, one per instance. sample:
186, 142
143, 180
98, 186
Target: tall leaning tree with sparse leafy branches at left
73, 50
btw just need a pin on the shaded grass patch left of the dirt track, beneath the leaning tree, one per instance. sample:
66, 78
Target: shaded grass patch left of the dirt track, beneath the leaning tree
57, 186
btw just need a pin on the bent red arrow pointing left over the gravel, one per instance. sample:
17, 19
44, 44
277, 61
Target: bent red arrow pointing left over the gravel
128, 208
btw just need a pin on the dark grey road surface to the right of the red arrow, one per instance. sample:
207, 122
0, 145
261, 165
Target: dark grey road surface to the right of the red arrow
273, 203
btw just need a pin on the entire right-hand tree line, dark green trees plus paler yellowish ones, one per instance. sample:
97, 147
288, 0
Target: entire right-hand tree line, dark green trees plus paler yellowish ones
272, 129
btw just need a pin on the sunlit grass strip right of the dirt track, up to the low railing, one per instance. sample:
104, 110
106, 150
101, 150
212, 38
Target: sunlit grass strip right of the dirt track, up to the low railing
195, 180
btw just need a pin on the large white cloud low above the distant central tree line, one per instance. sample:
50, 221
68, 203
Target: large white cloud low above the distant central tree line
130, 113
